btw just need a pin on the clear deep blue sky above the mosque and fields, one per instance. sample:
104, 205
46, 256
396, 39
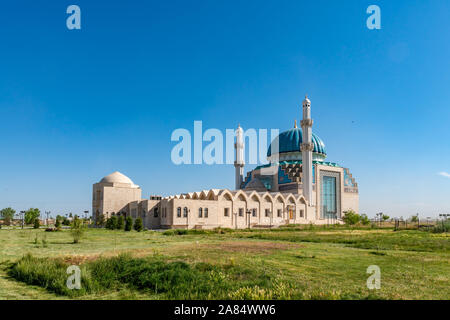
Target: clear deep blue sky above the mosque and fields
76, 105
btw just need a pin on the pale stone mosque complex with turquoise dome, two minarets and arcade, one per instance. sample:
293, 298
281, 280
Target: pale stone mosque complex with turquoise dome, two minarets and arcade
297, 186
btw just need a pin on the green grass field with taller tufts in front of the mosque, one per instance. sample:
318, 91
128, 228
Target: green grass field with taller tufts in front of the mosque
285, 263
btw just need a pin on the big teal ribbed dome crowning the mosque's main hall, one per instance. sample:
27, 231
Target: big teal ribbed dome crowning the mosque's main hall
289, 141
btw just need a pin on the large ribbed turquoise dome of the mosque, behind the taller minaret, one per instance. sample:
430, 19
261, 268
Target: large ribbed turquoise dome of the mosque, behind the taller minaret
289, 143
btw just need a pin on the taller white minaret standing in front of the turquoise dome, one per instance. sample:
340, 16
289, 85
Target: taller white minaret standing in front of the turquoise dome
307, 148
